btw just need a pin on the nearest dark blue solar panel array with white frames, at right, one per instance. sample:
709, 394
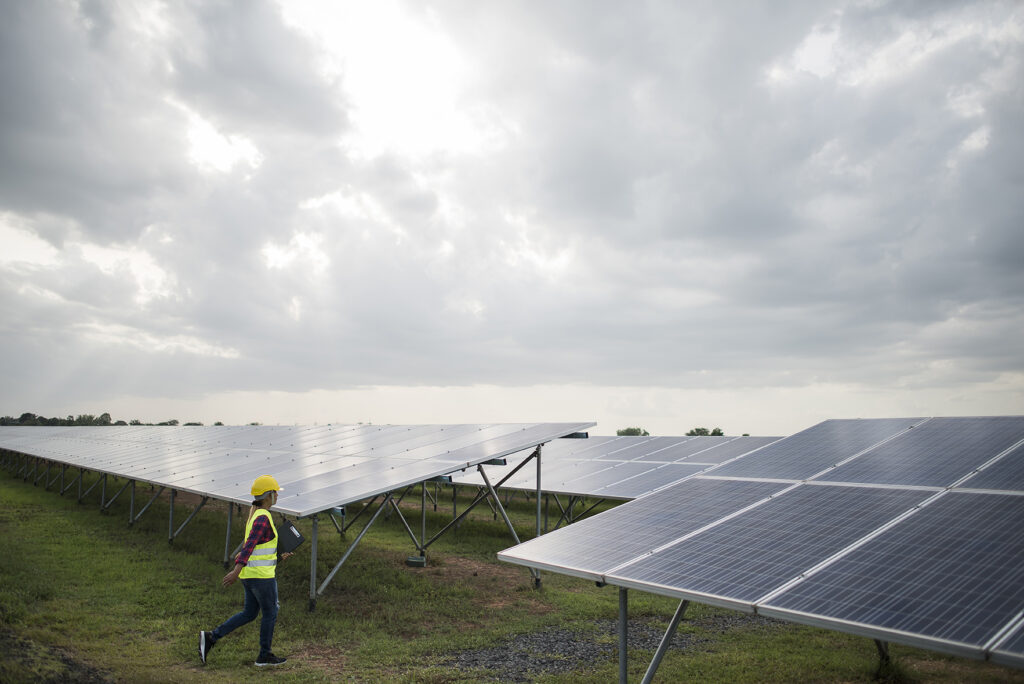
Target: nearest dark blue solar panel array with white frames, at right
907, 531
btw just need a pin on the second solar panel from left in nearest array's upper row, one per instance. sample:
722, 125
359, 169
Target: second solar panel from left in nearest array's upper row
935, 454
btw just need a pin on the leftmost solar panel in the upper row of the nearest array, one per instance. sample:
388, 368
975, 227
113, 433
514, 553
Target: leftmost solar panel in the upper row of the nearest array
810, 452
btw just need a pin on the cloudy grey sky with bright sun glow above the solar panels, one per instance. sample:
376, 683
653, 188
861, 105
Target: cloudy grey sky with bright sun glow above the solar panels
748, 216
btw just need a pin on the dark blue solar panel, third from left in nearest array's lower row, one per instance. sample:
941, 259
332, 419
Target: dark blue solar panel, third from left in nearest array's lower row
954, 571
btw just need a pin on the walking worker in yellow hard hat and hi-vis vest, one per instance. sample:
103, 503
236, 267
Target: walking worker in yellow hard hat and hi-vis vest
255, 566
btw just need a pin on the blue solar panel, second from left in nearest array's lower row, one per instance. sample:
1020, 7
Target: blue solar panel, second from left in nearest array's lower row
750, 555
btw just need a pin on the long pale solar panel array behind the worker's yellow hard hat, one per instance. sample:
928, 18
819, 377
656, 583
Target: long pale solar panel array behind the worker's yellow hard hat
319, 467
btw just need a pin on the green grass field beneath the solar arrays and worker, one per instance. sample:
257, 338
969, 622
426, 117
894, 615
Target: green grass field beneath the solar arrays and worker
84, 598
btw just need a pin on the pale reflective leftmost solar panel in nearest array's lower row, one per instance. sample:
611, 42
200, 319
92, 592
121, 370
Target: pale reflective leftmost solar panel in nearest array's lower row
591, 547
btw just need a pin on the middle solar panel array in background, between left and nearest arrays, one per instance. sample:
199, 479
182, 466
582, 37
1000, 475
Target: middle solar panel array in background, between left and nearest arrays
624, 467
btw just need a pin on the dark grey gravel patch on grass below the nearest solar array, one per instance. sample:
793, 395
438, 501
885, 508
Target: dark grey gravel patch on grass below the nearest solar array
559, 651
